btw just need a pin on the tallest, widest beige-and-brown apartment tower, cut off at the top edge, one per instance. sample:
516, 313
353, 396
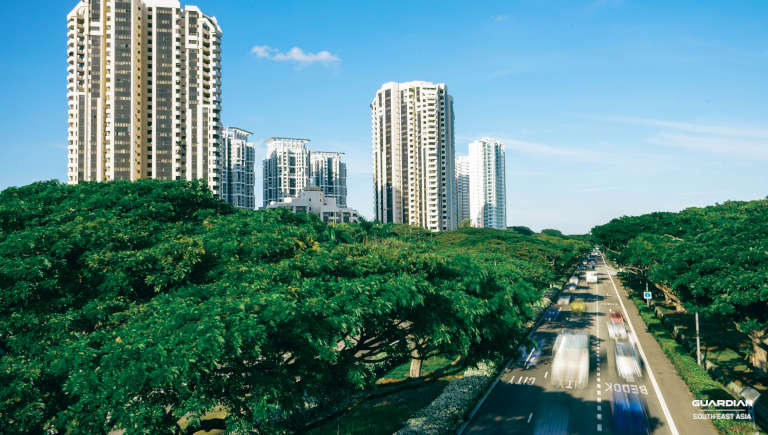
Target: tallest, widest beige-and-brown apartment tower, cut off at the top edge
144, 91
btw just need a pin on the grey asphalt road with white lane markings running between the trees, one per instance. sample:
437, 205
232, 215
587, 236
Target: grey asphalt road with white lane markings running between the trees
525, 402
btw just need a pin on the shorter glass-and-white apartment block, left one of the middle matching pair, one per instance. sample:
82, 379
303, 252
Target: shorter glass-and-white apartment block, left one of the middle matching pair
286, 168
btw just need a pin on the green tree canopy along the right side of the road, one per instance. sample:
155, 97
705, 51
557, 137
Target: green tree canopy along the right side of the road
715, 259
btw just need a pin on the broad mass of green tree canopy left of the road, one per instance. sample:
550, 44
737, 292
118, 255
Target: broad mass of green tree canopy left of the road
130, 305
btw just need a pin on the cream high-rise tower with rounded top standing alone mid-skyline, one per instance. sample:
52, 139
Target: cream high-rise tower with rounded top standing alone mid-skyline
413, 155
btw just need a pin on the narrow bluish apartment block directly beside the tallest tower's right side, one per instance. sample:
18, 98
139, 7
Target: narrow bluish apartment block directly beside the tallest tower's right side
238, 169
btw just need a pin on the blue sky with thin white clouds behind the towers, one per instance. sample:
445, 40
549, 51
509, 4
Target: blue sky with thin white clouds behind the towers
607, 107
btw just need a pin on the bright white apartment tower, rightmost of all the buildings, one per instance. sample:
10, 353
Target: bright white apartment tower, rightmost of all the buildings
487, 184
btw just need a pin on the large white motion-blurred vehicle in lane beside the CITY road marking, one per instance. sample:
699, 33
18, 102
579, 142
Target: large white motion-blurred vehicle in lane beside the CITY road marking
570, 368
